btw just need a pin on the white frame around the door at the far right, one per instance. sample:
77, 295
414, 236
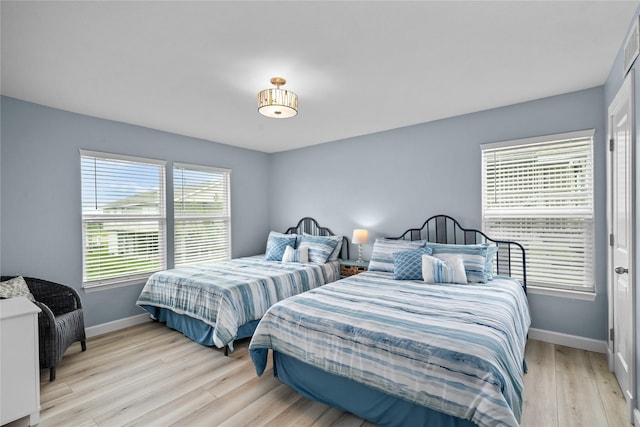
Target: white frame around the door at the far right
628, 86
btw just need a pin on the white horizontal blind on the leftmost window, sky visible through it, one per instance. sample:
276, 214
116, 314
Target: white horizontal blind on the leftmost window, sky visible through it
123, 218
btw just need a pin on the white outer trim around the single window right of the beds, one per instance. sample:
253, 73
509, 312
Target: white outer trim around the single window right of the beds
588, 293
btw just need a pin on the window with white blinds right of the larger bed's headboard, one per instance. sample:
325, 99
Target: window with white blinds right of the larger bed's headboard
539, 192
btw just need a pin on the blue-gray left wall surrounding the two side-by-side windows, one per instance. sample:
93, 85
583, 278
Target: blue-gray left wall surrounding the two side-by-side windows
40, 185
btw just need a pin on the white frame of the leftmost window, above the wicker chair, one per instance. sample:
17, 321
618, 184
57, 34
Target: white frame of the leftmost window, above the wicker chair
160, 218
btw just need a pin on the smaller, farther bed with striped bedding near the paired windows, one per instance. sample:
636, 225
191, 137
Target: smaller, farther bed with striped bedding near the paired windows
219, 302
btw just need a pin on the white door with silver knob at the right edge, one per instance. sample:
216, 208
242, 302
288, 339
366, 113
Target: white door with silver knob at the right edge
621, 286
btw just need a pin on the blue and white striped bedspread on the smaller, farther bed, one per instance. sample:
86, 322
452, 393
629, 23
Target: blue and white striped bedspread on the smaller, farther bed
229, 294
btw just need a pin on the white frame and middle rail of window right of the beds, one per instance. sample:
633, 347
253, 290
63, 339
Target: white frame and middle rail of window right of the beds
587, 289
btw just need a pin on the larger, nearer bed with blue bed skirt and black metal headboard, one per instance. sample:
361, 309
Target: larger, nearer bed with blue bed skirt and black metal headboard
406, 352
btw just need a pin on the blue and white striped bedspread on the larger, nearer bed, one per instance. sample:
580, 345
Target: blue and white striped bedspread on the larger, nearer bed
457, 349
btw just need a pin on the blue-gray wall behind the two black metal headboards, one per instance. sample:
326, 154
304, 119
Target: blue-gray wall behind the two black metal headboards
390, 181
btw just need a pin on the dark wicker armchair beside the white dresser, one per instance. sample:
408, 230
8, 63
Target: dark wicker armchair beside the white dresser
61, 322
